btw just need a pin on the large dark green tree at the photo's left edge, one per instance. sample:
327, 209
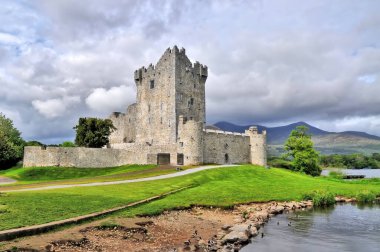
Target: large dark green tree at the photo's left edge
11, 143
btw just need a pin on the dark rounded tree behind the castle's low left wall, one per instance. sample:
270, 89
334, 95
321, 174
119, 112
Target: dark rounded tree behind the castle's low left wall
93, 132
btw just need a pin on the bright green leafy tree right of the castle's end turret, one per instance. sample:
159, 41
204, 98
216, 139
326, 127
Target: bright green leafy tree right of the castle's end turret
300, 149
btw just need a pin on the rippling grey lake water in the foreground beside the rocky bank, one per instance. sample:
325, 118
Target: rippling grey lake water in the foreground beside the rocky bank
340, 228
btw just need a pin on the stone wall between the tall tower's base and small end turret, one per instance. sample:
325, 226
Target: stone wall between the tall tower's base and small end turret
222, 147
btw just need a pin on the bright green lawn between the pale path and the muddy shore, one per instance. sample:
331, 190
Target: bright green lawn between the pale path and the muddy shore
218, 187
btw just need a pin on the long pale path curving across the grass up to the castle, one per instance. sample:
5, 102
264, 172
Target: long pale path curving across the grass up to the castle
171, 175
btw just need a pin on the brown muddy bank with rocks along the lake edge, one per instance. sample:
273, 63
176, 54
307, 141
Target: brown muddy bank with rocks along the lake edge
196, 229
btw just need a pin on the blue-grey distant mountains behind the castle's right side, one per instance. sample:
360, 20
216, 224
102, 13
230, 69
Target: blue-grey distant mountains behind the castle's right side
326, 142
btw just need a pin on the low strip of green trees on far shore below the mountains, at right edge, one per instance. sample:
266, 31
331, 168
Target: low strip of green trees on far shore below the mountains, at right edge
351, 161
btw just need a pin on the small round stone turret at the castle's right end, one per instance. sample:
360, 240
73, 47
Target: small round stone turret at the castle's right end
258, 146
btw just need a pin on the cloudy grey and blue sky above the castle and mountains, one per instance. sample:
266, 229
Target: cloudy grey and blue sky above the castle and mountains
270, 62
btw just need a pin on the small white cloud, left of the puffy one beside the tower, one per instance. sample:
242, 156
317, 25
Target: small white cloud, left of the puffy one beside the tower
55, 107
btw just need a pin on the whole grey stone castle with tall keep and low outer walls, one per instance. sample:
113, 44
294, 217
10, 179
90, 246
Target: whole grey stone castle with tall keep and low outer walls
166, 125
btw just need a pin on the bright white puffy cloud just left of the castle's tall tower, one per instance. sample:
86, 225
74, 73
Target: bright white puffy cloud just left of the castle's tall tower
113, 99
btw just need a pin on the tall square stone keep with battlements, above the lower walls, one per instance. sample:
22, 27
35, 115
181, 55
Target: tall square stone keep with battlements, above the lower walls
174, 87
